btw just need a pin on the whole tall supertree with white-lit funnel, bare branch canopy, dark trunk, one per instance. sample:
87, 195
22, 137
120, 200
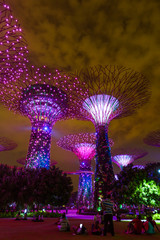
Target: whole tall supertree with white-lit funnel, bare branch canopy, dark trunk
113, 92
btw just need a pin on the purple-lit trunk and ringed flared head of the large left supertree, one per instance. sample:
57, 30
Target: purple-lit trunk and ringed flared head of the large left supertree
42, 104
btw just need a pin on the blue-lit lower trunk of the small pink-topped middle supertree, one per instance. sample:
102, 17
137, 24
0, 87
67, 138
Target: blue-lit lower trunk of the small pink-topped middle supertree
85, 196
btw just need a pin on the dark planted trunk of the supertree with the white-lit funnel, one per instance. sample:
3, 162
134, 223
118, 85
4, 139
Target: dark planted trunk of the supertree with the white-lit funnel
104, 175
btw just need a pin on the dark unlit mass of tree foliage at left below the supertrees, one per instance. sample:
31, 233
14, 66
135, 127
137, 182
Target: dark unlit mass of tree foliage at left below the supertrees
28, 186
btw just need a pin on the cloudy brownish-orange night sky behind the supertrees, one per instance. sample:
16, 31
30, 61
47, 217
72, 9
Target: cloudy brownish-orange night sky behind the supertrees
77, 33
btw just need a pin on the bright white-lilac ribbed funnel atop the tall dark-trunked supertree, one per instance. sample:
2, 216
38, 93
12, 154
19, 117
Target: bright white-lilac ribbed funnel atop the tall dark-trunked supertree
101, 108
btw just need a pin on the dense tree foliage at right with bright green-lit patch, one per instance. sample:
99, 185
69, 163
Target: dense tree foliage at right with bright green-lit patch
138, 186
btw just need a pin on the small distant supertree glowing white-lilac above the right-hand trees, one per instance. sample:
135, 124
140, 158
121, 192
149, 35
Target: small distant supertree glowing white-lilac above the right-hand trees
124, 157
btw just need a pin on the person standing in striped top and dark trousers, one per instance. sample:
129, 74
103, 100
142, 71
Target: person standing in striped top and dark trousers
107, 206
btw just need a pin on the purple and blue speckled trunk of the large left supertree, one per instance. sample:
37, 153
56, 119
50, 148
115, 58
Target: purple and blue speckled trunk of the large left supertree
39, 146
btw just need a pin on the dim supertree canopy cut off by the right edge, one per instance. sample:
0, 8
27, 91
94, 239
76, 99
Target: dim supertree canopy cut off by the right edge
153, 138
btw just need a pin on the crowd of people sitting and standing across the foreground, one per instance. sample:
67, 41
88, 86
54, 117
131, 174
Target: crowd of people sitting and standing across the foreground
136, 226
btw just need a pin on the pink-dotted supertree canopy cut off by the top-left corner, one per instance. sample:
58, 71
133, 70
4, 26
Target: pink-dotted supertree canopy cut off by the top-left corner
13, 47
